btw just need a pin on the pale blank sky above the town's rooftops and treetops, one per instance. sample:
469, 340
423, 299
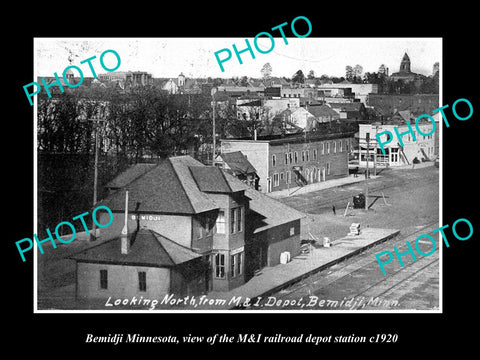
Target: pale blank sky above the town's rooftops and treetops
194, 57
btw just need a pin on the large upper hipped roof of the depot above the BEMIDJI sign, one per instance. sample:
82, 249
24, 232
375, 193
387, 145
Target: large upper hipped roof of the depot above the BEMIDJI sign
177, 185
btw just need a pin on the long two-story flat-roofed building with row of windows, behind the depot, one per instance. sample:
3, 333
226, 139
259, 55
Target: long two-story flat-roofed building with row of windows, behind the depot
295, 160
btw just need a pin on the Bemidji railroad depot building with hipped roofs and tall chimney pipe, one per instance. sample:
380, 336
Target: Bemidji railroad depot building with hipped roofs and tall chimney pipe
188, 230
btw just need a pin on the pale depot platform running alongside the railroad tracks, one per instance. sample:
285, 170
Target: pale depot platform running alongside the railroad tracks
272, 279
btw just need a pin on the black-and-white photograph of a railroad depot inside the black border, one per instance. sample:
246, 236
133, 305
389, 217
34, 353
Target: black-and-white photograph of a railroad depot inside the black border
303, 179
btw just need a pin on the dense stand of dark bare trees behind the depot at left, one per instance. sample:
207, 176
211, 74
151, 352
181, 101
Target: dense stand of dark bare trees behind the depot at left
143, 124
